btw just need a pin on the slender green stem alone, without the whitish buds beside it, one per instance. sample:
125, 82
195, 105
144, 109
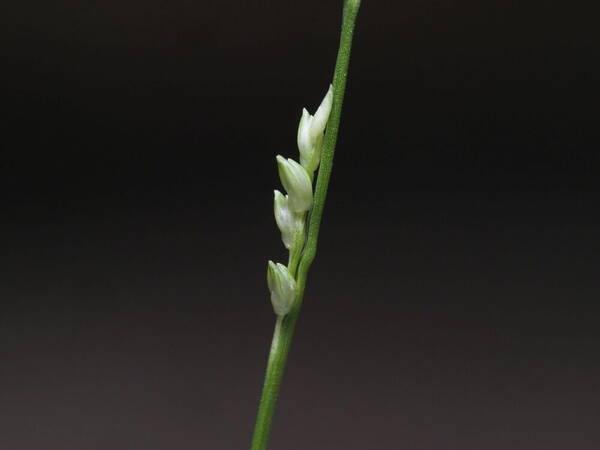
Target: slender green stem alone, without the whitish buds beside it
284, 327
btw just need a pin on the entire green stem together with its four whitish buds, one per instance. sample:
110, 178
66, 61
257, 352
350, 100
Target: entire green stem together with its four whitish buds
298, 215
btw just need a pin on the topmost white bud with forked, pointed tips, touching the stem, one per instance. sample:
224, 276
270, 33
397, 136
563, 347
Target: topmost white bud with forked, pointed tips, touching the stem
310, 133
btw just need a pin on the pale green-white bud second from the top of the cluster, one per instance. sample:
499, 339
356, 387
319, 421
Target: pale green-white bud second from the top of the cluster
297, 183
